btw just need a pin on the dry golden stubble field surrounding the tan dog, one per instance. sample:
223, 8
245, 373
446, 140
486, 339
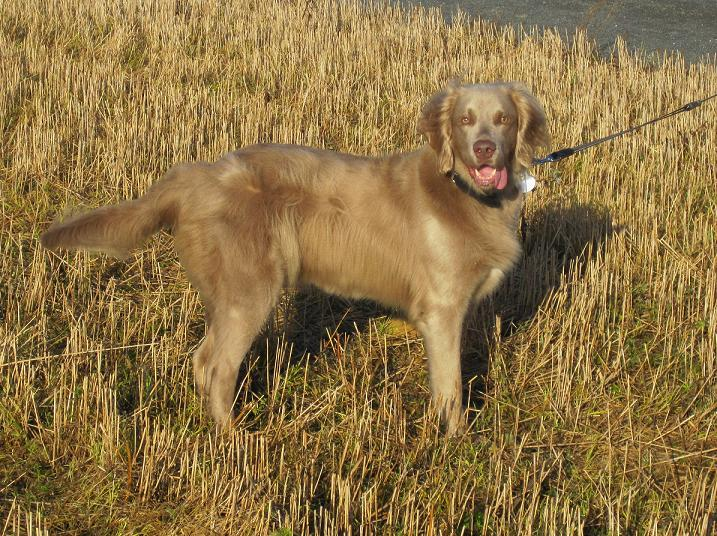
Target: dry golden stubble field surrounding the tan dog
599, 408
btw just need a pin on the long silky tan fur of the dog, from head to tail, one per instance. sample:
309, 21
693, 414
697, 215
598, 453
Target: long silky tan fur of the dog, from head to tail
394, 229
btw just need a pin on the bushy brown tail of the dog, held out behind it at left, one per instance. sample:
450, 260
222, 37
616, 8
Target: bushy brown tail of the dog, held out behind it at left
117, 229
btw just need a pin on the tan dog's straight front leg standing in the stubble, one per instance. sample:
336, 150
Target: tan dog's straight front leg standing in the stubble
441, 332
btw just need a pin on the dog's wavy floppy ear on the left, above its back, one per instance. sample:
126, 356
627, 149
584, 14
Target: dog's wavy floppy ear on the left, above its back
435, 124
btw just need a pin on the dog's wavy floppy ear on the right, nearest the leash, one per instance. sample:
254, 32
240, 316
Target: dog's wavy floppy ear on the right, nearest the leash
532, 126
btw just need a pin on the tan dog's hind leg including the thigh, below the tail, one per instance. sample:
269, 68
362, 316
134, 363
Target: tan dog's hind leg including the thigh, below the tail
239, 284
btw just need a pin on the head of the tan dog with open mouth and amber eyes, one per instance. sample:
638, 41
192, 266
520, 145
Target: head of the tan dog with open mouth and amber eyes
485, 132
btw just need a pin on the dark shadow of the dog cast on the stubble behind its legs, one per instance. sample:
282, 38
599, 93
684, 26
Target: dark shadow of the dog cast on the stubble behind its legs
557, 241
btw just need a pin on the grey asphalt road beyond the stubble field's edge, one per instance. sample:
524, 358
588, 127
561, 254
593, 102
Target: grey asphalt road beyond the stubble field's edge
686, 26
